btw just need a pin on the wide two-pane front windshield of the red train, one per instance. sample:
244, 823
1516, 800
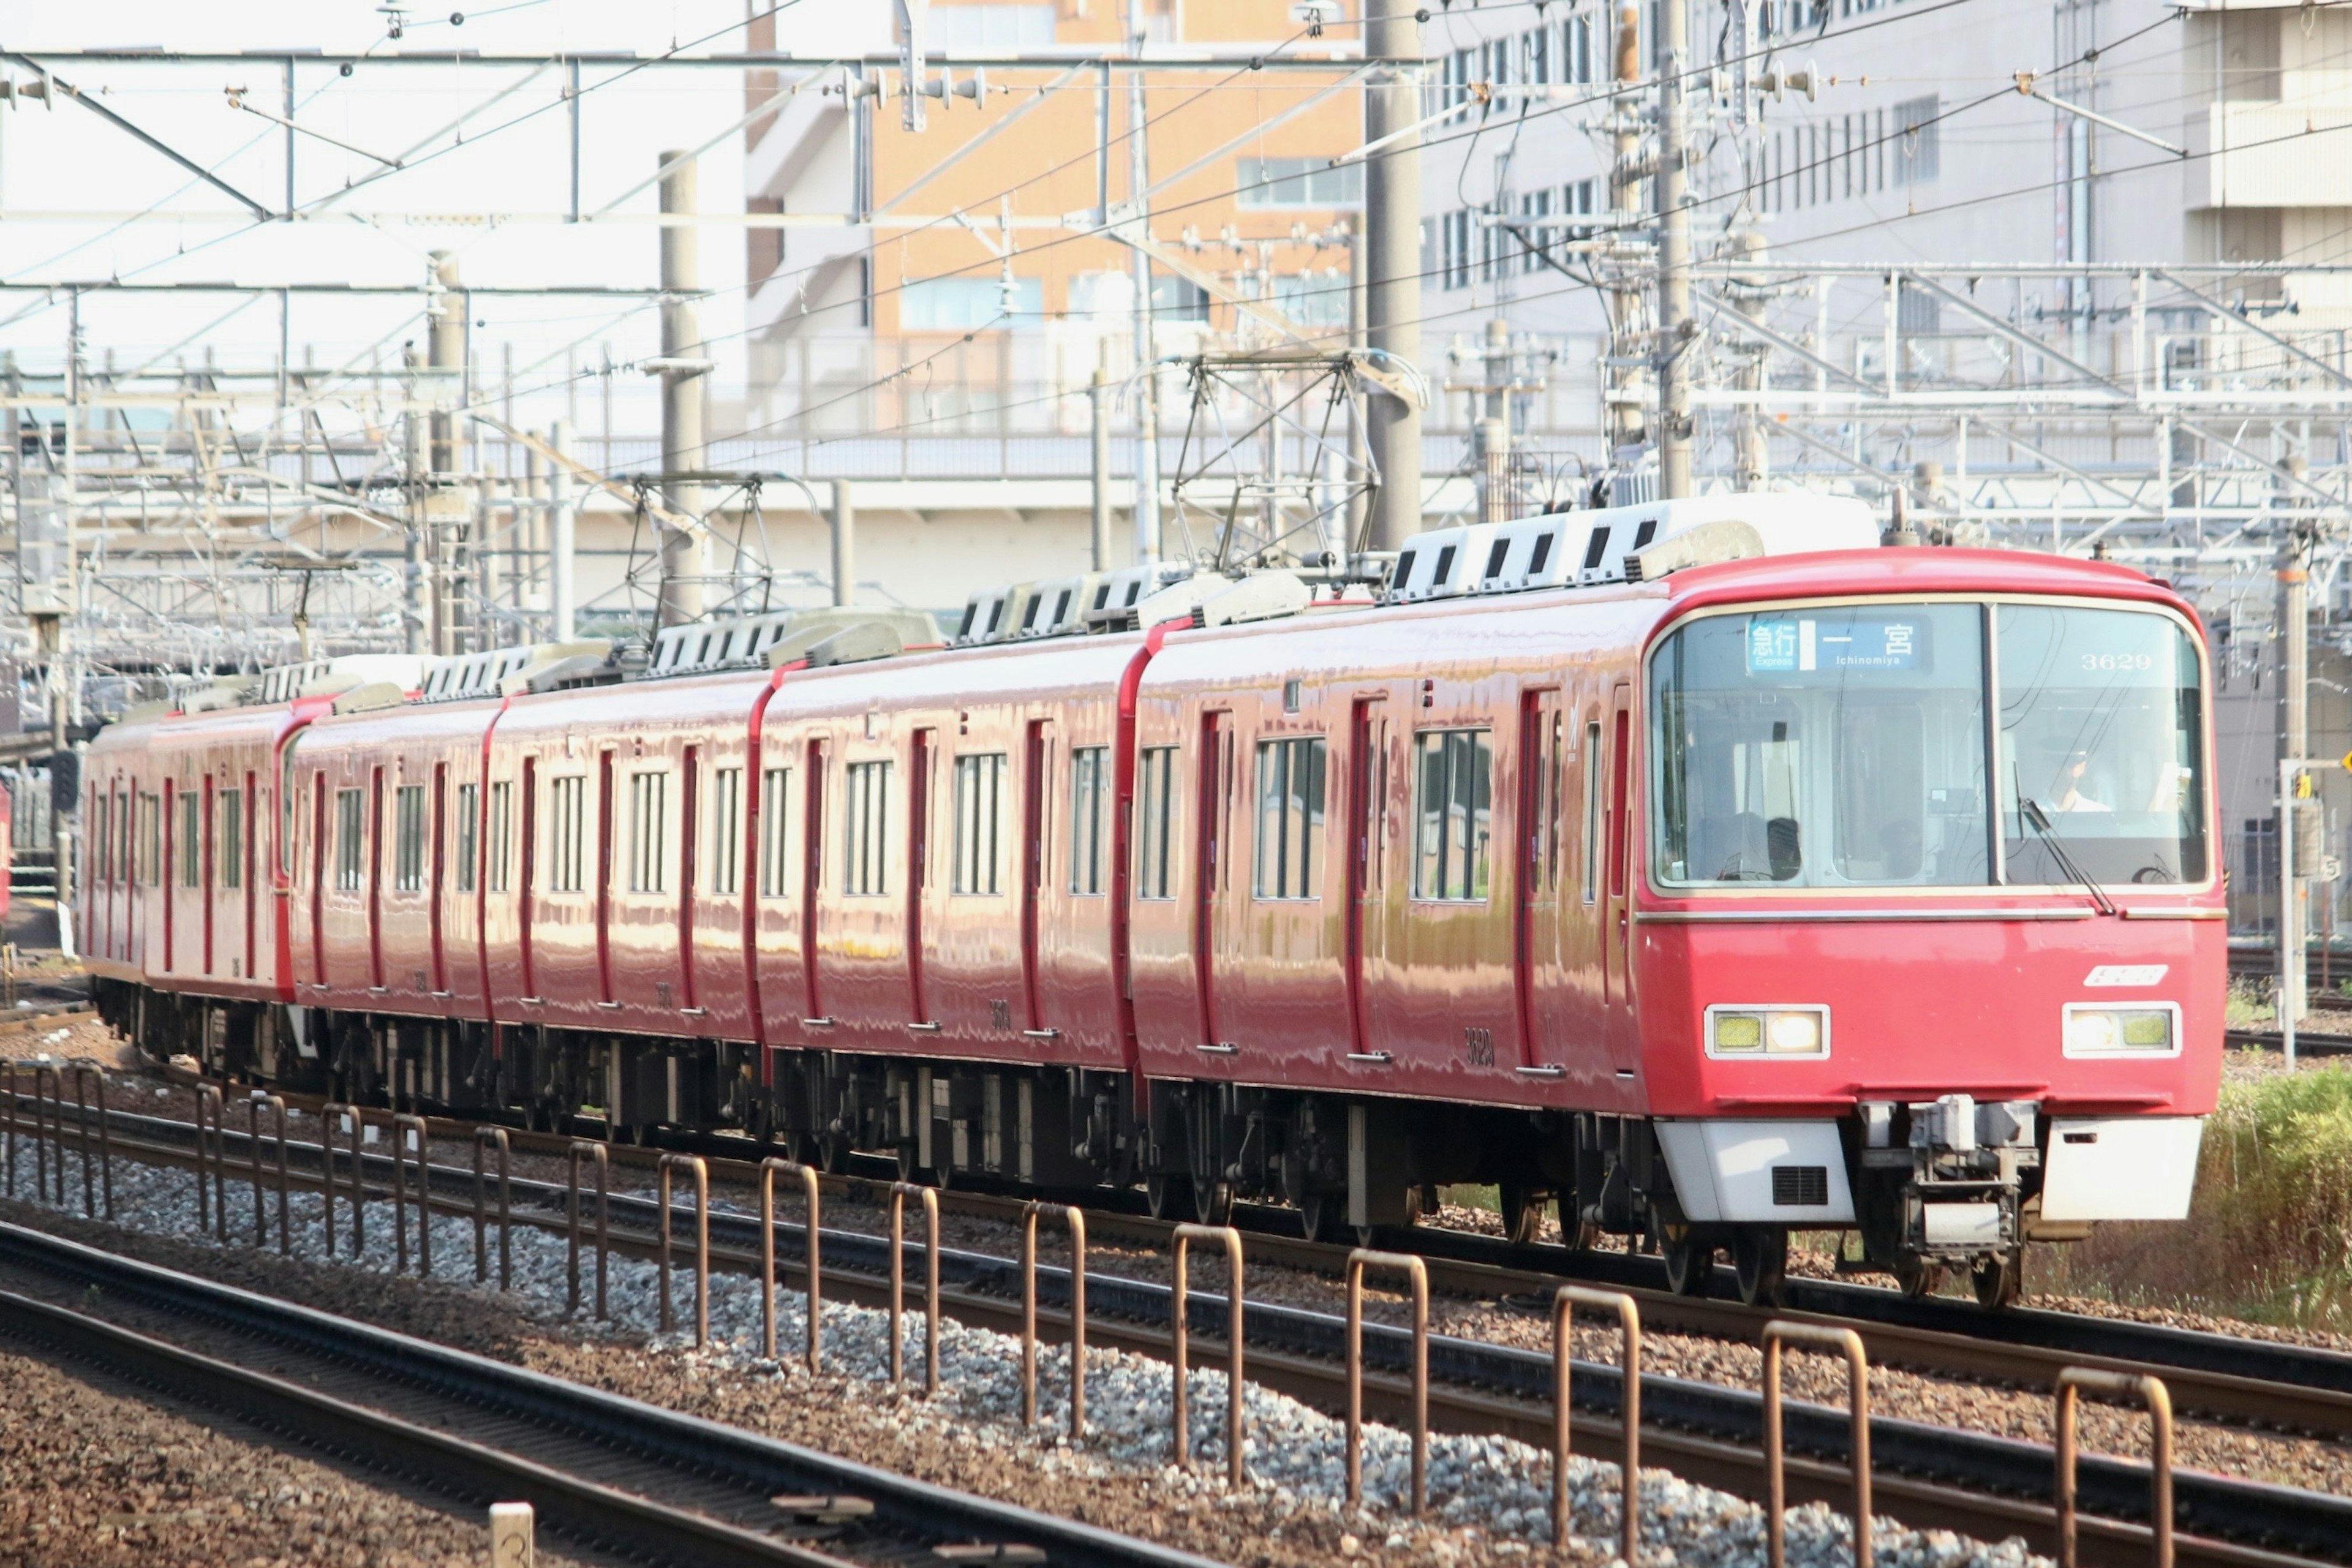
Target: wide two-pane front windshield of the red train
1847, 749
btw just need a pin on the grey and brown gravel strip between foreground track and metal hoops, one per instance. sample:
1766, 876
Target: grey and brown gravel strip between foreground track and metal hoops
1490, 1499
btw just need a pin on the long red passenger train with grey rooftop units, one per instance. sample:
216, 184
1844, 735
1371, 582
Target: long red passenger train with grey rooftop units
1655, 862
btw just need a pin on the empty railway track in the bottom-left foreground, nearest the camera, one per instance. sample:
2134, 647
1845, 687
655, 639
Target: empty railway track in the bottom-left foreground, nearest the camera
606, 1473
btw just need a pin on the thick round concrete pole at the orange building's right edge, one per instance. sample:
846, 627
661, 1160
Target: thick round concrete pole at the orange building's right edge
1394, 264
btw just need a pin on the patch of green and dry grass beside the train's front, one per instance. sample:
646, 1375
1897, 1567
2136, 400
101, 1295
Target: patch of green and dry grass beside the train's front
2271, 1228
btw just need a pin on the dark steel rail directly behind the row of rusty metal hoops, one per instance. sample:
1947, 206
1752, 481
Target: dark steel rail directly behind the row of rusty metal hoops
1932, 1477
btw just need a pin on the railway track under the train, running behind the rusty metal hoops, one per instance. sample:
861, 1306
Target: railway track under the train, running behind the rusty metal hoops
1930, 1477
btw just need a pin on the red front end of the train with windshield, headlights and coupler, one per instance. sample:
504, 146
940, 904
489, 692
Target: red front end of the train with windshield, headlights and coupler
1932, 934
